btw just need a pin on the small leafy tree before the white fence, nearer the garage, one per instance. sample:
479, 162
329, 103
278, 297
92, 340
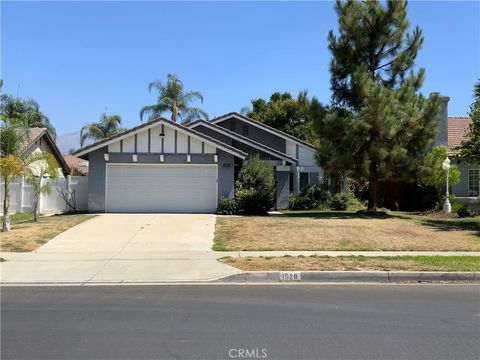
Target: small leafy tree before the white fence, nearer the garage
40, 166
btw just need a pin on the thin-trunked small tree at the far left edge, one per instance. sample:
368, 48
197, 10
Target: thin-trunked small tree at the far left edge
11, 166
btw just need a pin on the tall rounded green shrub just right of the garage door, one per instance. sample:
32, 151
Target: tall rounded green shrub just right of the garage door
255, 187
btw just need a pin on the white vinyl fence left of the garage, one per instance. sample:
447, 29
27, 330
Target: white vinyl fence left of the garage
22, 196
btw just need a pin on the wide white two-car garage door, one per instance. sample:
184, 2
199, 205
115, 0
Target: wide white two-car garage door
161, 188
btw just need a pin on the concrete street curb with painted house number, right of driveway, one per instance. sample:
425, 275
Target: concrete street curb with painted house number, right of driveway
349, 276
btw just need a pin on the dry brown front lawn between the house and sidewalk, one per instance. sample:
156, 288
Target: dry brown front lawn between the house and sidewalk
323, 233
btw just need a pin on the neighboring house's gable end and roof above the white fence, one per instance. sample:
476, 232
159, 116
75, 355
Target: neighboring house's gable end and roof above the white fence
36, 140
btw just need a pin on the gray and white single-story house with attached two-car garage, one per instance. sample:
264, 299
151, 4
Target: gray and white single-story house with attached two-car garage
162, 166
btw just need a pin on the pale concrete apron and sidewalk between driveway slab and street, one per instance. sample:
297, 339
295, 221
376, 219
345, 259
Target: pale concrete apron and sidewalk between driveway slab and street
106, 267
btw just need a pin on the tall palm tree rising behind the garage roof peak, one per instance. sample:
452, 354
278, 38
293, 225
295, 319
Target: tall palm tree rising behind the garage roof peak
172, 98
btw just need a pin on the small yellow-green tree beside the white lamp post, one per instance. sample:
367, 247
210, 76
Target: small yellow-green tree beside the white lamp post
434, 175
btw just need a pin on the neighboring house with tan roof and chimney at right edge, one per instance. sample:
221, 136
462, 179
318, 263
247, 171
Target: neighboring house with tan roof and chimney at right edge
452, 130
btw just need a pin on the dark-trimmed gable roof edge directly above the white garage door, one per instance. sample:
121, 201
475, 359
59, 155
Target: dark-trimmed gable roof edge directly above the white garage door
152, 123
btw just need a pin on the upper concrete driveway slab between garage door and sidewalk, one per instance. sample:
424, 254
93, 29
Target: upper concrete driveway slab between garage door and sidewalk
148, 233
